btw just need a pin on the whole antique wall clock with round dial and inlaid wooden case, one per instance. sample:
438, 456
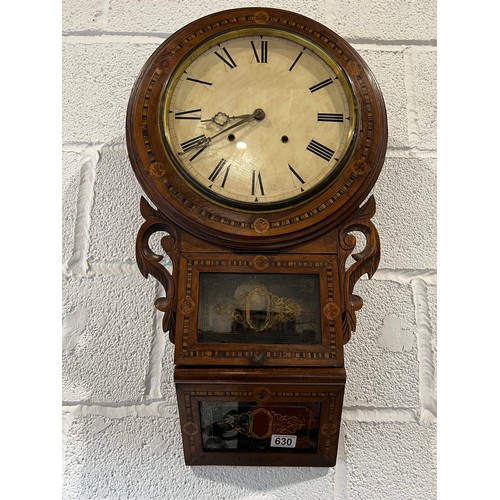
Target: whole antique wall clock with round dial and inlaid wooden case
257, 134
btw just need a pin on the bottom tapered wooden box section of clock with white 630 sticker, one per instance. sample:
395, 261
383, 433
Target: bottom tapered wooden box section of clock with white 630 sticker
260, 416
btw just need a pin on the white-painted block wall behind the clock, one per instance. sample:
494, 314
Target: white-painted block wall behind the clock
121, 433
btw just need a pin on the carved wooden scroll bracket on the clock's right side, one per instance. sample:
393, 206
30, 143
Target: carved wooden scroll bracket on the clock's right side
365, 261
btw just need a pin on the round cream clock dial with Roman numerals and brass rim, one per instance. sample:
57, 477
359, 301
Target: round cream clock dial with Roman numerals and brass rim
258, 119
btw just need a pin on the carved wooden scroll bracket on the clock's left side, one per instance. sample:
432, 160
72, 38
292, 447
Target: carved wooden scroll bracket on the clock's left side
149, 262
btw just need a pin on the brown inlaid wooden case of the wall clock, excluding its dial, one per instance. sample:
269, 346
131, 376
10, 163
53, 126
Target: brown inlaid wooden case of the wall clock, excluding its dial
269, 388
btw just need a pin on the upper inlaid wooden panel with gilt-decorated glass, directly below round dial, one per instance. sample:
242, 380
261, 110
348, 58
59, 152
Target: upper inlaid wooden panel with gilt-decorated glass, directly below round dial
258, 310
